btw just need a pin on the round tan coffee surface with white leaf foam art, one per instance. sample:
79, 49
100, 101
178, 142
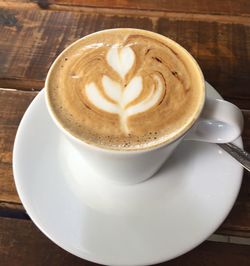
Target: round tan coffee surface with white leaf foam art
125, 89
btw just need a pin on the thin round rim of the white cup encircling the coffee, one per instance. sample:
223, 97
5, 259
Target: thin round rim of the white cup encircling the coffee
175, 138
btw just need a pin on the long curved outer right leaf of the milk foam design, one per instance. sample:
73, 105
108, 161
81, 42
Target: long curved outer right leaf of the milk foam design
151, 100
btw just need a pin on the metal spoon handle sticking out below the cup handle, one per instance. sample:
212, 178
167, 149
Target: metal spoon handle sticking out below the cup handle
240, 155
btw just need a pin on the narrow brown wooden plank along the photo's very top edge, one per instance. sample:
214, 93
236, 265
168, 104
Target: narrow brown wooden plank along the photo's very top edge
228, 7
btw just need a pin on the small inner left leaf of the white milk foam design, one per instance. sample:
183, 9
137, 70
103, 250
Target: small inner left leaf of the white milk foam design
112, 88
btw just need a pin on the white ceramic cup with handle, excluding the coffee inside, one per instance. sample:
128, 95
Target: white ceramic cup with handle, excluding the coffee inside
219, 122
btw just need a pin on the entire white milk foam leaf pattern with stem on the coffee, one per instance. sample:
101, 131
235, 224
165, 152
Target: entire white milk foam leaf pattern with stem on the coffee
123, 95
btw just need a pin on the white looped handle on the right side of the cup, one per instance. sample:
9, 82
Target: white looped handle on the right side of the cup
220, 122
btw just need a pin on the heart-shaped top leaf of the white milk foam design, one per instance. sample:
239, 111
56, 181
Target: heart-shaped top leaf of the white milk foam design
121, 59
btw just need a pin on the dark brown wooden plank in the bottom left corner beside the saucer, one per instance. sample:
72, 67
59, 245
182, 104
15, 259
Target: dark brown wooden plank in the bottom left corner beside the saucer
22, 244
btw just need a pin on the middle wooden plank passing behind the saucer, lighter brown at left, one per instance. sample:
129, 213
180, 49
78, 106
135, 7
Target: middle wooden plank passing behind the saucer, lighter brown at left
14, 103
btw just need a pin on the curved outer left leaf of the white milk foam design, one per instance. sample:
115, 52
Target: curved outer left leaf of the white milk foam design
96, 98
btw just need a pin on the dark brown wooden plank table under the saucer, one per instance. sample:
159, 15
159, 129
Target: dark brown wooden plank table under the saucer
33, 33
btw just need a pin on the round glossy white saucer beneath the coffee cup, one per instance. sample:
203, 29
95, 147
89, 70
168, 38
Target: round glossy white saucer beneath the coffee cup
147, 223
